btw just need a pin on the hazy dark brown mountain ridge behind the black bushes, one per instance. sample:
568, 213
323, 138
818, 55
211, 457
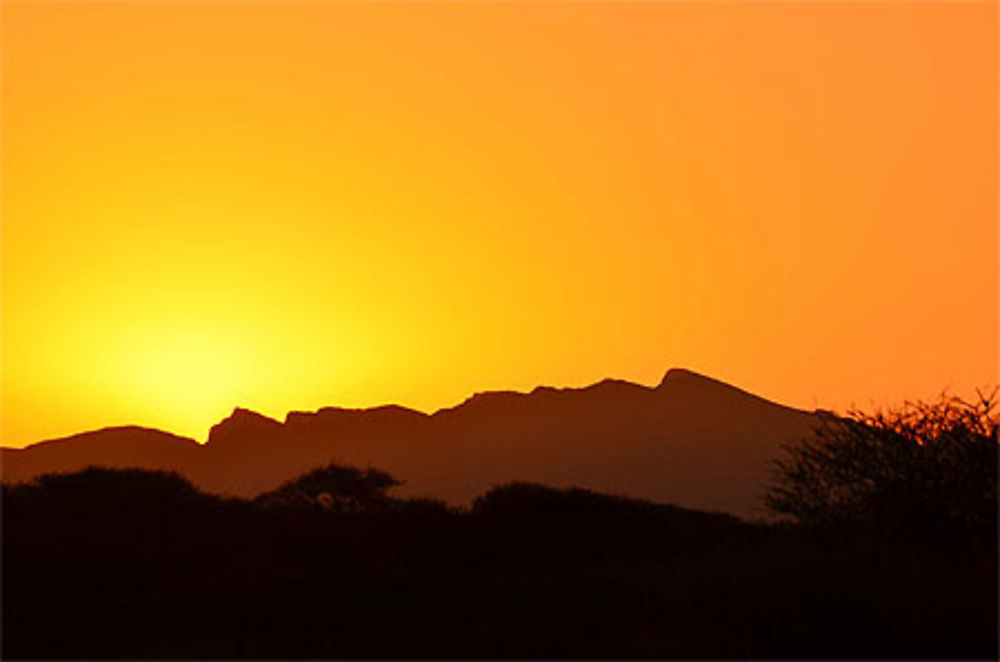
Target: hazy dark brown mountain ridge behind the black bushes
692, 440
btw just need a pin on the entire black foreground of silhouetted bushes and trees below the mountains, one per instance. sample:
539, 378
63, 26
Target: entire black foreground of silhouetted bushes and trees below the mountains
889, 551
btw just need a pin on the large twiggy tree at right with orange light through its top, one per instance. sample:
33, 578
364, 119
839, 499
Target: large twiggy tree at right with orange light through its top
925, 467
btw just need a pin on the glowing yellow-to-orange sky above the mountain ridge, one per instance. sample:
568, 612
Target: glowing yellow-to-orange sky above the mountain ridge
285, 206
